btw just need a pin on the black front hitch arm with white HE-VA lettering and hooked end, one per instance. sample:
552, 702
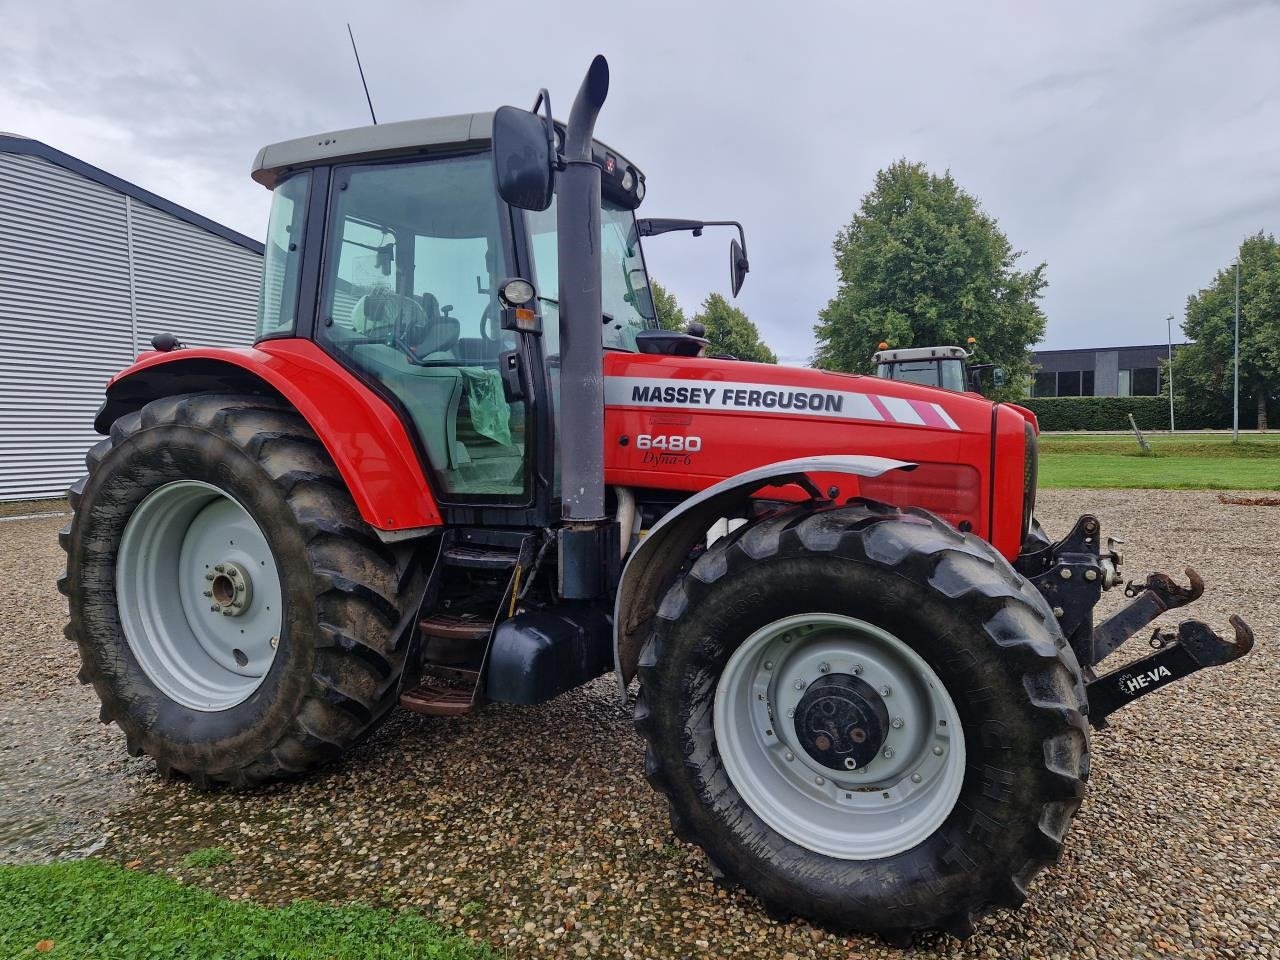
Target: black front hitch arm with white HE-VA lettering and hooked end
1195, 648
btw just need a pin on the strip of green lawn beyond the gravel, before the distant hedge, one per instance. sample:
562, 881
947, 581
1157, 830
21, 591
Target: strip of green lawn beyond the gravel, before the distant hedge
1191, 461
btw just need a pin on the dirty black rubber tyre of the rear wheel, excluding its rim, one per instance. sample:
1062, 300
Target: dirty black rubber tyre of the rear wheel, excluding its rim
337, 665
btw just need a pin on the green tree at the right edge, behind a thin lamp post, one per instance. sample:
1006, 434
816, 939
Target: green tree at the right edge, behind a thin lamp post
1204, 371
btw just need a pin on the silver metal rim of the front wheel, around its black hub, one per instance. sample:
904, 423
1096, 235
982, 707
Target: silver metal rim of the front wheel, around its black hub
889, 806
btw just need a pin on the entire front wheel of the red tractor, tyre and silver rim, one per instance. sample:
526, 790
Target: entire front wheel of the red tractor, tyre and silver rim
973, 624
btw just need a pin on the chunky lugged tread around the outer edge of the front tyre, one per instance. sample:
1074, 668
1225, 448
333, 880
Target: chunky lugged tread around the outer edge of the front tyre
966, 569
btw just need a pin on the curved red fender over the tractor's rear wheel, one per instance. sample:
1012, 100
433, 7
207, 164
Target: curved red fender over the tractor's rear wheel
363, 433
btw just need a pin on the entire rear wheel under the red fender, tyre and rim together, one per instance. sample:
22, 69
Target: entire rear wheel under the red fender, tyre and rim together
330, 675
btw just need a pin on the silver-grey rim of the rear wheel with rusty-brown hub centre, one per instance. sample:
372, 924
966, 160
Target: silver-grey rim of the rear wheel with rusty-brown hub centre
199, 596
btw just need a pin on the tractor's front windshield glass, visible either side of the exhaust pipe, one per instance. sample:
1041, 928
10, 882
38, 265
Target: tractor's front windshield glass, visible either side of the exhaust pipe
624, 285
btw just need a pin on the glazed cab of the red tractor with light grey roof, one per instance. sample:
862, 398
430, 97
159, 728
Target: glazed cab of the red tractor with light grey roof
401, 243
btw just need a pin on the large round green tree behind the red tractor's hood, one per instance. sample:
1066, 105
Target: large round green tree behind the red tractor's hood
921, 264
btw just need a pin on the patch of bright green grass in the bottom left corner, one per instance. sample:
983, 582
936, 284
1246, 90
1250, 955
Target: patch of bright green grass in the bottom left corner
94, 911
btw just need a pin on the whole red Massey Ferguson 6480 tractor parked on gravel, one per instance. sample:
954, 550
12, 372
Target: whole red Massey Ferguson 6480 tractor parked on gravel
463, 464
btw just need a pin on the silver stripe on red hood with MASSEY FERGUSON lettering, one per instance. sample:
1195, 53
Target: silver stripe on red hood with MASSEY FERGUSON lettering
653, 394
